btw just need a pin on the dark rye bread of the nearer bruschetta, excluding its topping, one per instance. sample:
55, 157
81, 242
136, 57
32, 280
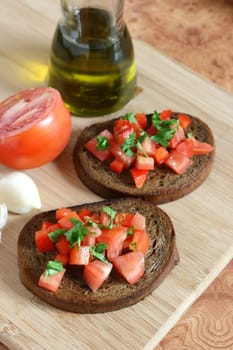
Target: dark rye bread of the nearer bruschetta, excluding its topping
73, 294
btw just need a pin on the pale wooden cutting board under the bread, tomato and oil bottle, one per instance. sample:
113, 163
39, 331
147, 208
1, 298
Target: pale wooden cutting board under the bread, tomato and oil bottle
203, 219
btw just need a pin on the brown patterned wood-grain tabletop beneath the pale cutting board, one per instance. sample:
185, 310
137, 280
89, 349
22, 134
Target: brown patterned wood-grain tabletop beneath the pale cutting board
198, 34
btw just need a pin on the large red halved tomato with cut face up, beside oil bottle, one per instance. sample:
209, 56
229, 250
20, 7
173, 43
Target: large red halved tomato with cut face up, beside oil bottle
35, 127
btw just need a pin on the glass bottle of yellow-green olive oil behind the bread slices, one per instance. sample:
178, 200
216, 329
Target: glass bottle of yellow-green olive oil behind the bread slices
92, 58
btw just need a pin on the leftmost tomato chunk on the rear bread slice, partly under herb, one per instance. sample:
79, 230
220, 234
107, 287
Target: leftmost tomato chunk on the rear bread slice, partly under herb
102, 154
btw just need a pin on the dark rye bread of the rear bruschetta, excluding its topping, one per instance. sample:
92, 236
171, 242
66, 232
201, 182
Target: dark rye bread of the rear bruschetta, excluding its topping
162, 185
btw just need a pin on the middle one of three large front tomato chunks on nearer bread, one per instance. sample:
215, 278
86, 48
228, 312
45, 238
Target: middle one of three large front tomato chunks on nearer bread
95, 273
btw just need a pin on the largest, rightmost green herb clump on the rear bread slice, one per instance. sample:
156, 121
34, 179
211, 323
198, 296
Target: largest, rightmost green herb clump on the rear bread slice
166, 129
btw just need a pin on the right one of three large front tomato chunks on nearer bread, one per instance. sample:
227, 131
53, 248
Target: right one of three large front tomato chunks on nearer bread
131, 266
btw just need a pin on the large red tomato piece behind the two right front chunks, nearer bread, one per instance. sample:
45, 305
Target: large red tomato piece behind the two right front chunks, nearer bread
113, 238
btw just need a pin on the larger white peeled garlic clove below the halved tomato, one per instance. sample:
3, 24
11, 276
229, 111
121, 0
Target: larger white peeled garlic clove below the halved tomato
19, 192
